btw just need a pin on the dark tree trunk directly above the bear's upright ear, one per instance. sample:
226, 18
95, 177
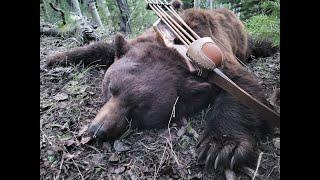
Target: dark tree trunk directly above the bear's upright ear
124, 11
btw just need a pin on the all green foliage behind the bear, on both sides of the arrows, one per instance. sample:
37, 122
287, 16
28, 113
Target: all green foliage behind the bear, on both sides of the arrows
261, 17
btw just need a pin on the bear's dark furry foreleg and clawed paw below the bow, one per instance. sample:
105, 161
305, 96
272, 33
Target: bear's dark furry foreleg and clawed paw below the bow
229, 139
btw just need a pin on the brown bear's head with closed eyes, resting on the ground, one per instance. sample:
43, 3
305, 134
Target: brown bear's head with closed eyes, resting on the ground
142, 86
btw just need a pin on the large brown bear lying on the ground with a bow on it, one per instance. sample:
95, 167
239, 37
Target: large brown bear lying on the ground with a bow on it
144, 78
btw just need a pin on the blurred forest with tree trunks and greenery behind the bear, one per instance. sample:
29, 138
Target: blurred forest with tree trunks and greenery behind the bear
91, 20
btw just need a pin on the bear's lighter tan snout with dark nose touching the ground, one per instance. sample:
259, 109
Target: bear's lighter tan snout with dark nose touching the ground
110, 122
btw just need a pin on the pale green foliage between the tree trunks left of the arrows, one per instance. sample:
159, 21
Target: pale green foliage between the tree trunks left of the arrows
139, 17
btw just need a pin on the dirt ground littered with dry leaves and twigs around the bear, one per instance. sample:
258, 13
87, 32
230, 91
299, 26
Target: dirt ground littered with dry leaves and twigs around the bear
70, 98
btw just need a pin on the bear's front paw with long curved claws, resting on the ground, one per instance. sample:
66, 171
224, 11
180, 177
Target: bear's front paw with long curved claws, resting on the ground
224, 152
